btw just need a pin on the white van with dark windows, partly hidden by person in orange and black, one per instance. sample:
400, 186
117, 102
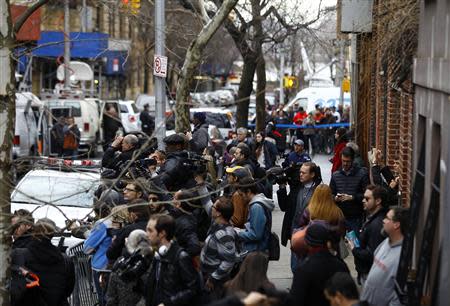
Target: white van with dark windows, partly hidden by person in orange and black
86, 117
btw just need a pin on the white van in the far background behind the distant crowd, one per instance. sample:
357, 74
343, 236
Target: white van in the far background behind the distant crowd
309, 97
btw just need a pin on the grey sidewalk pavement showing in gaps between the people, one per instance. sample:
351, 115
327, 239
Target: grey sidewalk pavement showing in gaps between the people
280, 271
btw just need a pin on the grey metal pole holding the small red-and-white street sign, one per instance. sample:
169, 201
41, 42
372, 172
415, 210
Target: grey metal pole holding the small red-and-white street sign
160, 82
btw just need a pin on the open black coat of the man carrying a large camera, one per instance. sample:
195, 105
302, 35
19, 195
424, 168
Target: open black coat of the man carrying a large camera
288, 204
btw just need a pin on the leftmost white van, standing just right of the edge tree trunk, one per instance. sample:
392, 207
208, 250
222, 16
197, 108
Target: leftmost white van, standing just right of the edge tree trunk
26, 132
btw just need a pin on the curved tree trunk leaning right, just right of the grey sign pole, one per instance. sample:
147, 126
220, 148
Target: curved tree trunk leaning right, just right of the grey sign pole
192, 61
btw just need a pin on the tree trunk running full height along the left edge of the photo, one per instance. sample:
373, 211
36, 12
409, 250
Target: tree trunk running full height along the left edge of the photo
7, 117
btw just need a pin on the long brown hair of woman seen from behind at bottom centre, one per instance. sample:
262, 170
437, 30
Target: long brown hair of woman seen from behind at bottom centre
252, 275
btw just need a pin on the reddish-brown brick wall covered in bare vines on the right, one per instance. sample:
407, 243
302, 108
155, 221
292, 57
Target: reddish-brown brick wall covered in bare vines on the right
385, 95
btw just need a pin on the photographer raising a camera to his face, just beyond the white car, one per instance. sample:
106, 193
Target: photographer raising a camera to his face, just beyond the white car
121, 151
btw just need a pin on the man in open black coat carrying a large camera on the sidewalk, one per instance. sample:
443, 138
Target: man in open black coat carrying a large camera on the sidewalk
294, 203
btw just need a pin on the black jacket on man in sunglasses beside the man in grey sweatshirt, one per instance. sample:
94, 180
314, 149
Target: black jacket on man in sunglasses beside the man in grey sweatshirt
370, 237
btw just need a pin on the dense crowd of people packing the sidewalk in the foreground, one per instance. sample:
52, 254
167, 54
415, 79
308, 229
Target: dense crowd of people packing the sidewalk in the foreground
187, 226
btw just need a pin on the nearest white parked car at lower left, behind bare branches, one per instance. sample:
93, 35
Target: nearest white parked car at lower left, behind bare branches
71, 194
